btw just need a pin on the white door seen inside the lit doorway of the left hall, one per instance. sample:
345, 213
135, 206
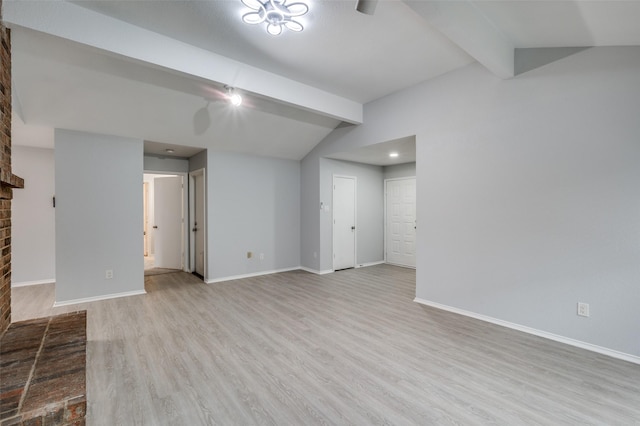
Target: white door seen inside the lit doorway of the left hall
168, 222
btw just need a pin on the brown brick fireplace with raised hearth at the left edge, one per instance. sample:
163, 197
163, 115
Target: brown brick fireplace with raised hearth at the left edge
42, 361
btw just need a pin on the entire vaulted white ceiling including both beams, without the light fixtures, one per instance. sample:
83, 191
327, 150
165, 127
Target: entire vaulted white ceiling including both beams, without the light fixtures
155, 70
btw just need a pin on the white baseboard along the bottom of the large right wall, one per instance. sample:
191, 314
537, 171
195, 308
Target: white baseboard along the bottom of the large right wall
566, 340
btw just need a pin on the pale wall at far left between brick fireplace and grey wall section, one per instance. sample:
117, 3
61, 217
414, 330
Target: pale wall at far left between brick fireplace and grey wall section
33, 217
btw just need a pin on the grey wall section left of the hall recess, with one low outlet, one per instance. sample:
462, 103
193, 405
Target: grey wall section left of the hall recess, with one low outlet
98, 215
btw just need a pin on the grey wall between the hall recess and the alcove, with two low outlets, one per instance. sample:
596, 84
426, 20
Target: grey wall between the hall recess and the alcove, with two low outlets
253, 205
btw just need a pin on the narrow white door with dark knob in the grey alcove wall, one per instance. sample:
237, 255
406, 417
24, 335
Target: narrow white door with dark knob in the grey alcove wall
344, 222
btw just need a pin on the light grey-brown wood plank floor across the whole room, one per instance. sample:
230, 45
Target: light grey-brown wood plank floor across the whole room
345, 348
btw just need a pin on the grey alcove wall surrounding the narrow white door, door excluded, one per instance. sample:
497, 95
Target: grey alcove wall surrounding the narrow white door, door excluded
369, 210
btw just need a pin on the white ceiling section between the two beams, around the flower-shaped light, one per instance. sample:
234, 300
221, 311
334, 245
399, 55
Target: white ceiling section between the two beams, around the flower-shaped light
335, 52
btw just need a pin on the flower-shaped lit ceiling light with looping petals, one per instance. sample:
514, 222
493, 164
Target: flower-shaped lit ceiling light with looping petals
276, 13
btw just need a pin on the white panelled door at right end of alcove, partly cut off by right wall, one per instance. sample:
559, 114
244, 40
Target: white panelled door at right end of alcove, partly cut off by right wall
401, 221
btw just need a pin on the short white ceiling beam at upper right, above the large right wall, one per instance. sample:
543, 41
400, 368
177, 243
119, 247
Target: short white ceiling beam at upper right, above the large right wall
467, 27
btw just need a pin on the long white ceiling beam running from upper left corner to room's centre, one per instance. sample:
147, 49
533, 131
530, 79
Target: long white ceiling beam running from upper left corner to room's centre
81, 25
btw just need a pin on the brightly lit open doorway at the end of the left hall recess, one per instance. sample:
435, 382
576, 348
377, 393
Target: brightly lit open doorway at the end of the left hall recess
165, 201
